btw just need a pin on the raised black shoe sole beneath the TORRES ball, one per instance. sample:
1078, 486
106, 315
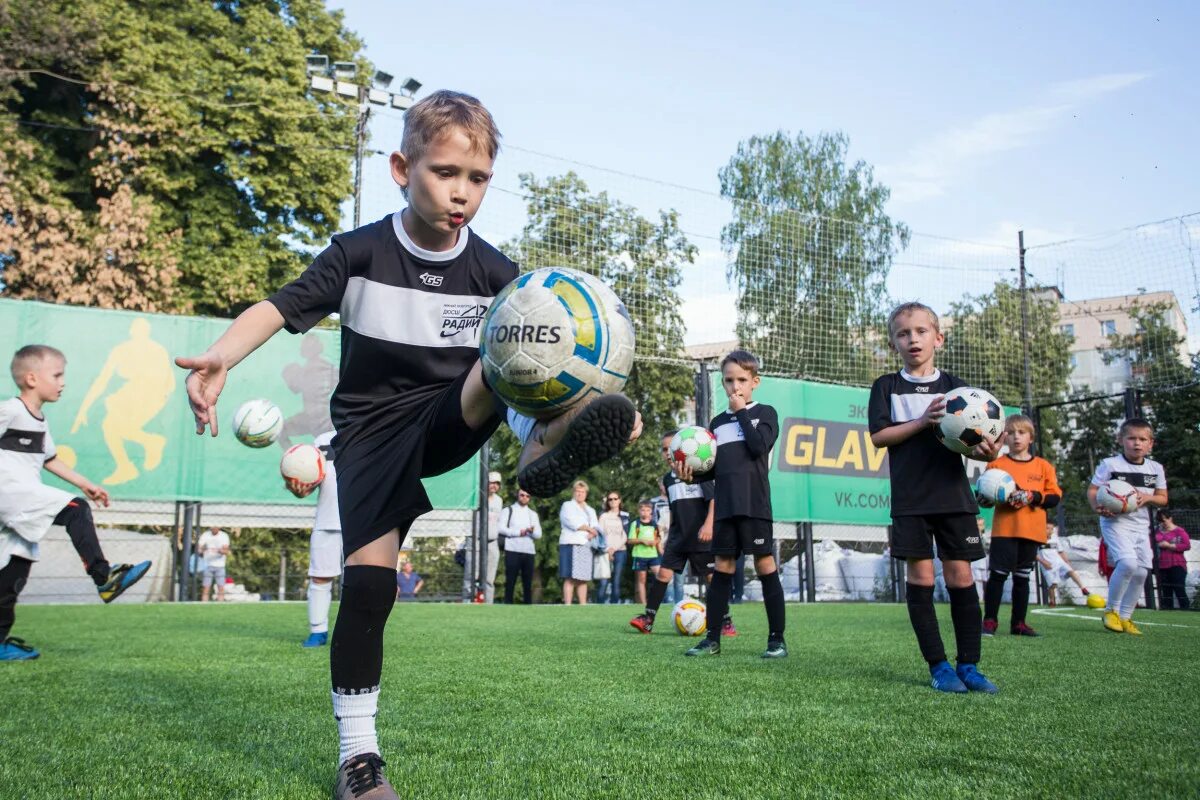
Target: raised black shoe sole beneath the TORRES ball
560, 449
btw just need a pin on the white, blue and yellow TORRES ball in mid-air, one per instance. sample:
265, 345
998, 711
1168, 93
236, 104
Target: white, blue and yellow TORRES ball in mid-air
554, 338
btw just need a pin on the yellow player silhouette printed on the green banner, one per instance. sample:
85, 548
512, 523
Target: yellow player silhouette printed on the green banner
149, 381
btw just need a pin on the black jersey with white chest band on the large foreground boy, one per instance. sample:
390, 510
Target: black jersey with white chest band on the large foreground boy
411, 317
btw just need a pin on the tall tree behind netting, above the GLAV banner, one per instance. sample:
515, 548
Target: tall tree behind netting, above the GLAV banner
812, 250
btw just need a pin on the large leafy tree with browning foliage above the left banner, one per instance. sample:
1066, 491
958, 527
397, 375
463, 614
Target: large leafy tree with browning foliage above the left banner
167, 155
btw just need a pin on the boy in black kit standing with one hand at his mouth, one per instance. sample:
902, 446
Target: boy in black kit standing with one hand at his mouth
746, 434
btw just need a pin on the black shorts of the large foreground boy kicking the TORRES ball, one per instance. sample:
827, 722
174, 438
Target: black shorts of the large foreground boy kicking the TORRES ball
381, 465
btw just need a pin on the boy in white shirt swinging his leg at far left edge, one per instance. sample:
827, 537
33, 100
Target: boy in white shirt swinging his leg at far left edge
28, 508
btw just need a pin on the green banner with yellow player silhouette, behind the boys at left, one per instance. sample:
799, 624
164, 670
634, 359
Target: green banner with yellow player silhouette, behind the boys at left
124, 419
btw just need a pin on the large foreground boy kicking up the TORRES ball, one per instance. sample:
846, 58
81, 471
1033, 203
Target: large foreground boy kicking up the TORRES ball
411, 400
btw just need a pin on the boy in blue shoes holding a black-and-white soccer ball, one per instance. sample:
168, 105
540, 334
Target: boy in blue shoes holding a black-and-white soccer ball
932, 498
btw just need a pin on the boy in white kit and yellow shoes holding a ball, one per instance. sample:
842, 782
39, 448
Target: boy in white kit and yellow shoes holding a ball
1127, 536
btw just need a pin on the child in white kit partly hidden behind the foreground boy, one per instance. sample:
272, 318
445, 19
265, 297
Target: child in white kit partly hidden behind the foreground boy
325, 545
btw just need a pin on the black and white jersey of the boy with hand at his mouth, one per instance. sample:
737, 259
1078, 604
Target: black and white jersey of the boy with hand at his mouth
743, 461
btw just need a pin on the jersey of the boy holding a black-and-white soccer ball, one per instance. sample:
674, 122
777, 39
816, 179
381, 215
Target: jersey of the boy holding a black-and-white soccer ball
927, 477
